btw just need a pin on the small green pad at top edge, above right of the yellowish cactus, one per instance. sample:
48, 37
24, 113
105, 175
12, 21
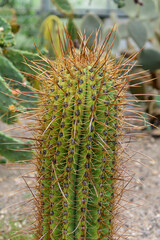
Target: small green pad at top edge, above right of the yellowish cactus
63, 6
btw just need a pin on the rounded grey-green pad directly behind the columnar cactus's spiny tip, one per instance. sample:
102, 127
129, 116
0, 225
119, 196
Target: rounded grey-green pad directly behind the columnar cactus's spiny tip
91, 23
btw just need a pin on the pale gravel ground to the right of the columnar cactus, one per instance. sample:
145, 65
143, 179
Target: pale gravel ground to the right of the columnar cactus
145, 216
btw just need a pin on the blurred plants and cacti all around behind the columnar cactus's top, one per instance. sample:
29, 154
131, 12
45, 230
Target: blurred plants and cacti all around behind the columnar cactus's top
26, 25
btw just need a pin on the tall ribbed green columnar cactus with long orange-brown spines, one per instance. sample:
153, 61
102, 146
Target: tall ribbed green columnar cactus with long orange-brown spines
79, 132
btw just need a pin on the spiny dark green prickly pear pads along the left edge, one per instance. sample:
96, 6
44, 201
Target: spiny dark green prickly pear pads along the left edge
16, 93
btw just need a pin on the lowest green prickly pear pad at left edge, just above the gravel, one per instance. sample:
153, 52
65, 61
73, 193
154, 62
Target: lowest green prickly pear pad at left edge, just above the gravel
12, 149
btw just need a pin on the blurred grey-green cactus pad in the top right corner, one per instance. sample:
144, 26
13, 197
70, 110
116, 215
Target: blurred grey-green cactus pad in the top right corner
148, 10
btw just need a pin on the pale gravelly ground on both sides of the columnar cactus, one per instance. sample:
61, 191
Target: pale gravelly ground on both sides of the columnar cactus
142, 220
